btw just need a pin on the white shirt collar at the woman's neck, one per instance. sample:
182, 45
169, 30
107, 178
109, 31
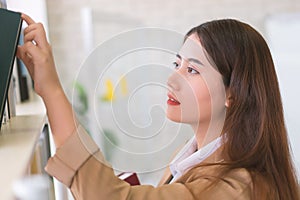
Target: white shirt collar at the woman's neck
189, 156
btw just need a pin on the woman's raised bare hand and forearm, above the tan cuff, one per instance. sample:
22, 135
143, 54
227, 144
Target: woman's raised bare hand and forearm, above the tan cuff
36, 54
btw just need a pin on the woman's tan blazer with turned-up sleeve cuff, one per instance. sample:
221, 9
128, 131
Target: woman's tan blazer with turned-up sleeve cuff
80, 165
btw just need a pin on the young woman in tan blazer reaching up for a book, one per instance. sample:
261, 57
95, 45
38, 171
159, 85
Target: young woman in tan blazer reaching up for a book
224, 85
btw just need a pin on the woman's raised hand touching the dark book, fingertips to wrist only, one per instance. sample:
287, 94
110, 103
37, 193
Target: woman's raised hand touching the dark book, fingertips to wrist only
37, 55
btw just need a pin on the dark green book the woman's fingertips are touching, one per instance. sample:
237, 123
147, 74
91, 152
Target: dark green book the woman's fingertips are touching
10, 27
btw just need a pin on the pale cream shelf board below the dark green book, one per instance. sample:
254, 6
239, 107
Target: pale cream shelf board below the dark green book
18, 139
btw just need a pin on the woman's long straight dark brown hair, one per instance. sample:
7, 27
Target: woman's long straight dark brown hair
256, 137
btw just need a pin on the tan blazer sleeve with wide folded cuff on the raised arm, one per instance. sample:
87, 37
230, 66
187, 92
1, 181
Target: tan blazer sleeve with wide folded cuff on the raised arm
80, 165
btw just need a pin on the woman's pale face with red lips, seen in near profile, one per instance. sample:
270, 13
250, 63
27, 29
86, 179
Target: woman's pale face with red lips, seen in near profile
196, 91
